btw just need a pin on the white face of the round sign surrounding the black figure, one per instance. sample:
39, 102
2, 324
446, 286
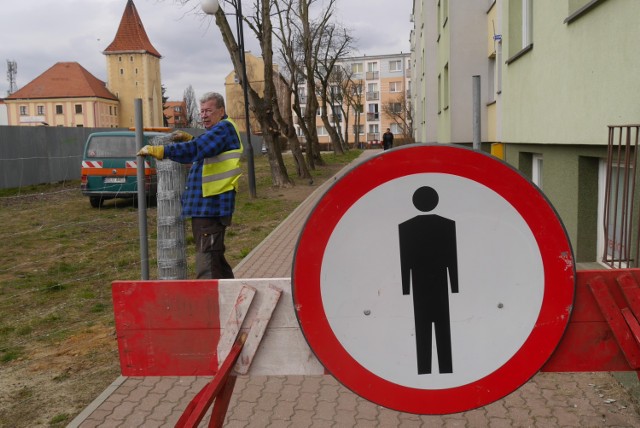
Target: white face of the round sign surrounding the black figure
500, 291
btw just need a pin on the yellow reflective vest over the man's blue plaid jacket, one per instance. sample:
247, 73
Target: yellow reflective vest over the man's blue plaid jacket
221, 173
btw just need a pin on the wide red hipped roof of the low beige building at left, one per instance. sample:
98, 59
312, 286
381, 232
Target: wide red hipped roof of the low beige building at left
64, 80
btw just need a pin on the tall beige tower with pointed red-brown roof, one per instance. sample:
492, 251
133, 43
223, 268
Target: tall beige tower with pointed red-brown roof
133, 71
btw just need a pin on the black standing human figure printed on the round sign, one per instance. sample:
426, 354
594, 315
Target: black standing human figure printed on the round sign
429, 263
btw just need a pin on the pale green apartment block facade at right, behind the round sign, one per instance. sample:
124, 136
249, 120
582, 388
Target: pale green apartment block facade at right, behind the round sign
557, 78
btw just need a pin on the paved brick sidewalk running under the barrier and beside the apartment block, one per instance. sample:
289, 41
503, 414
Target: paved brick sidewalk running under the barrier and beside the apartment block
547, 400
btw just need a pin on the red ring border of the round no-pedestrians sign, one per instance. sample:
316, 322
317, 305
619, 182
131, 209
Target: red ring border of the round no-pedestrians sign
531, 204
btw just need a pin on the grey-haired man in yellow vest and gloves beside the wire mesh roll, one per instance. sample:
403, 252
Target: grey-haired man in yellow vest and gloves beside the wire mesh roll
209, 196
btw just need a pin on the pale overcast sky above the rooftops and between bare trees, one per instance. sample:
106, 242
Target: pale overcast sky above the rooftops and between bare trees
38, 33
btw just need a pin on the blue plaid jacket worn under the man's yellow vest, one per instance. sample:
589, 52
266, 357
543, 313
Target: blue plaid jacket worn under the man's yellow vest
220, 138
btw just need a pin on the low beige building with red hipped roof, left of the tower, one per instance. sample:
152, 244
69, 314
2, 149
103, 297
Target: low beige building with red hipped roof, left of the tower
64, 95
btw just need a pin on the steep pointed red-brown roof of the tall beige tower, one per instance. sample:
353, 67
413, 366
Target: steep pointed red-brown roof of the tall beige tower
131, 35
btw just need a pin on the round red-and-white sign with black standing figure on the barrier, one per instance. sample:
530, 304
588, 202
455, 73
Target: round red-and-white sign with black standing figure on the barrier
433, 279
